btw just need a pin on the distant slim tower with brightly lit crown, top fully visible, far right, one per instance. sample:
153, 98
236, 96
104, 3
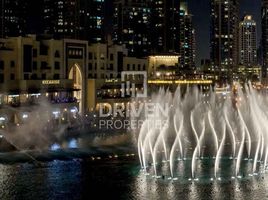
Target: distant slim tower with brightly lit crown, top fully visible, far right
248, 41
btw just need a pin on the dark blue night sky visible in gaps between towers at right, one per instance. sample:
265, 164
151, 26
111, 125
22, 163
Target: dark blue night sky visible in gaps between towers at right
201, 20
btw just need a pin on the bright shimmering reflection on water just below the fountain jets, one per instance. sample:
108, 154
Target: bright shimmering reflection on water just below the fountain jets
148, 187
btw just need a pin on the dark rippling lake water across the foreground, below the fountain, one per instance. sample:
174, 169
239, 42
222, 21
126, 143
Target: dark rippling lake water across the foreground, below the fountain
116, 179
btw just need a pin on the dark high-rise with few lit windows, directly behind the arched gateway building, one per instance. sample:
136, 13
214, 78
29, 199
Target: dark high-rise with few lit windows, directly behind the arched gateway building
80, 19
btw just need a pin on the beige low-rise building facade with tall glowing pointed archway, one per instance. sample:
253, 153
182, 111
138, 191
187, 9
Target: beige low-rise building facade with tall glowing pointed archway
62, 71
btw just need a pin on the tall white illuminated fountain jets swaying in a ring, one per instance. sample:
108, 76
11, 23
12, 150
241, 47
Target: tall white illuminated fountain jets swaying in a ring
206, 135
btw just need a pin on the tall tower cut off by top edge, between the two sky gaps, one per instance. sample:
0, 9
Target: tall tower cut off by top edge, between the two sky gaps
224, 36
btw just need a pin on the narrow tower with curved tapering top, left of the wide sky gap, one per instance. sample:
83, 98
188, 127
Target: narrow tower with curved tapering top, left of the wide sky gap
187, 39
